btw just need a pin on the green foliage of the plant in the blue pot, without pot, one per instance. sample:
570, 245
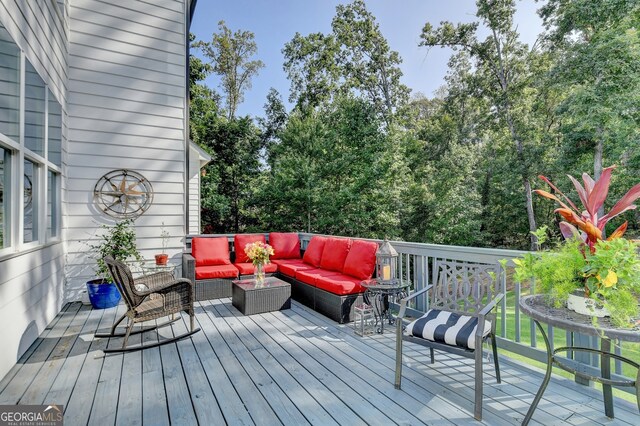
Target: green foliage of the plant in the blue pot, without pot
117, 241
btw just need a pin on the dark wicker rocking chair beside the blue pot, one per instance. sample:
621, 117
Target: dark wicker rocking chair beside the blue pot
148, 298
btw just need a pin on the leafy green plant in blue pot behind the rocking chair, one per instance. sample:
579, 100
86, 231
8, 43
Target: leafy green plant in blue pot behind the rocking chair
118, 241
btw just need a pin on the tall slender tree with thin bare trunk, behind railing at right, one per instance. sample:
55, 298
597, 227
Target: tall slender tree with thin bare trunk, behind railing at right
503, 63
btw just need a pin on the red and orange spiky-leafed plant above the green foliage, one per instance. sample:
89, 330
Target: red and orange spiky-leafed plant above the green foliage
592, 195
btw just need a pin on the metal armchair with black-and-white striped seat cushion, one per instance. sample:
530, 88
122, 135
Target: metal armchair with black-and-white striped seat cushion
461, 318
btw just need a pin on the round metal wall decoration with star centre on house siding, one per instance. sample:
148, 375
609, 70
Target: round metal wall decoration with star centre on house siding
123, 194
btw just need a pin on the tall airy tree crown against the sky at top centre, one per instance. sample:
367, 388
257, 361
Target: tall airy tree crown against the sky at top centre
355, 58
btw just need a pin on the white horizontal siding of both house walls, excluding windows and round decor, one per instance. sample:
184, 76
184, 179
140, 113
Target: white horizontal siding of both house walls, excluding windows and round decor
118, 69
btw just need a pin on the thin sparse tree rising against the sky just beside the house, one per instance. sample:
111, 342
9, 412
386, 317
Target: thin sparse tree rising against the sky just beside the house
230, 54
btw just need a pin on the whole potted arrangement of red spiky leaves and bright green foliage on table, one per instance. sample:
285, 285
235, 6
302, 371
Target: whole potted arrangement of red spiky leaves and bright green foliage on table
604, 271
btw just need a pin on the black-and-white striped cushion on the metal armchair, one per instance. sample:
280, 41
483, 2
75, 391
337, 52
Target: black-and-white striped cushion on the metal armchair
447, 327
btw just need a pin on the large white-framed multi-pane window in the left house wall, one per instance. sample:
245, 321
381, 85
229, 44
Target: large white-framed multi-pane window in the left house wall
30, 152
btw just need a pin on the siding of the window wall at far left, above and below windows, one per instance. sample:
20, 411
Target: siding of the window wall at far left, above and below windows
32, 282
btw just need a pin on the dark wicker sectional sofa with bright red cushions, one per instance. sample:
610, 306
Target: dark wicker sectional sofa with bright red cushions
326, 278
